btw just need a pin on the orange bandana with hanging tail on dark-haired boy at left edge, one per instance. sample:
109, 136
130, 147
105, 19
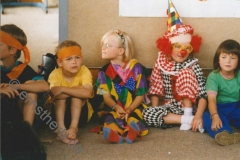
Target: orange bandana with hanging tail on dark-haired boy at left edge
11, 41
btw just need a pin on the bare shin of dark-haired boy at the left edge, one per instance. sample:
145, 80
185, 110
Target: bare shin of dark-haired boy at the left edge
29, 107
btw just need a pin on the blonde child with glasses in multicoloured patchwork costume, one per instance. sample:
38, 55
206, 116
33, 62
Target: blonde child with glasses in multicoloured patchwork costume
122, 82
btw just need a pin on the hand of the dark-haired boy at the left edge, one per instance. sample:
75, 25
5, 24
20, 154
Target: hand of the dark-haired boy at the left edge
7, 90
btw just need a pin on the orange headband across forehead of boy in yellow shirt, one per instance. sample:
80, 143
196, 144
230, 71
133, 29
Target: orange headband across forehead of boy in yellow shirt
69, 51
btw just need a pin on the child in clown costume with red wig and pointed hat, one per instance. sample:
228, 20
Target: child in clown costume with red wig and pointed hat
178, 78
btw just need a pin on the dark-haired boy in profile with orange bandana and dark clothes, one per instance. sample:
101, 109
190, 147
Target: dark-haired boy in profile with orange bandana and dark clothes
17, 76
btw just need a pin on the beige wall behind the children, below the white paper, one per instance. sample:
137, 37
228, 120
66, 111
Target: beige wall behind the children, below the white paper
89, 20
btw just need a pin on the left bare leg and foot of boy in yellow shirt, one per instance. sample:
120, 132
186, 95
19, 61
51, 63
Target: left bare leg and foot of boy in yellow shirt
62, 134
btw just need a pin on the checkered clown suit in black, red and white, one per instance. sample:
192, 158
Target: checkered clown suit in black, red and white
154, 115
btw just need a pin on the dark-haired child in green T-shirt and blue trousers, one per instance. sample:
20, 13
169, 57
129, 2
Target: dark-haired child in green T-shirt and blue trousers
223, 89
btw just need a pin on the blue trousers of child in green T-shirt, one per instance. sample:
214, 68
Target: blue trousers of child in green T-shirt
229, 114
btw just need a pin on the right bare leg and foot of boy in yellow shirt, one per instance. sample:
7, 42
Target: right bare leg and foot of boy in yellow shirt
76, 108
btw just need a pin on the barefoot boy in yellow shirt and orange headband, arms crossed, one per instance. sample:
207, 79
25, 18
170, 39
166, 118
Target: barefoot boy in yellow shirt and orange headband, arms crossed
70, 87
